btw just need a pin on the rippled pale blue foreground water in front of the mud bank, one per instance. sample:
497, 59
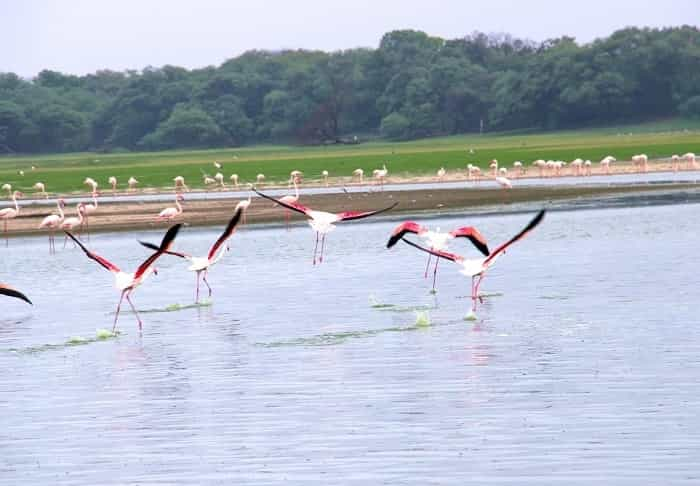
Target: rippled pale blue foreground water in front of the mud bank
583, 363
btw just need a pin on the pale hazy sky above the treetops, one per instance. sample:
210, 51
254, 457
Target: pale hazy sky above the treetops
80, 36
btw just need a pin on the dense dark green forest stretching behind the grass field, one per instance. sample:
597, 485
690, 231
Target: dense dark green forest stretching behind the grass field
413, 85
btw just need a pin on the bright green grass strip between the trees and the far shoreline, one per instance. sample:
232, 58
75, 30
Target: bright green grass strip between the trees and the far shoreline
64, 173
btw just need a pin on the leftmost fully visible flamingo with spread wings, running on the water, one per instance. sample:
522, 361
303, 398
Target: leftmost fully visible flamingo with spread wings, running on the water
127, 282
